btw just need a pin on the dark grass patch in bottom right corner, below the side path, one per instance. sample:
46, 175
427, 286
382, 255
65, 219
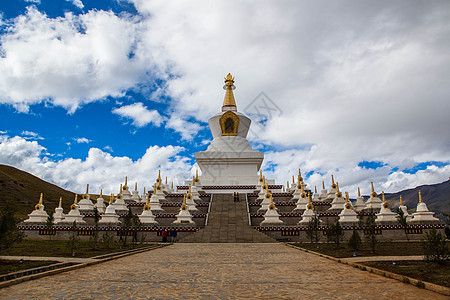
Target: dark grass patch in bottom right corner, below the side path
420, 270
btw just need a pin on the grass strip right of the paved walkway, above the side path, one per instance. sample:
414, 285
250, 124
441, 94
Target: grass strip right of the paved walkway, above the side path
382, 249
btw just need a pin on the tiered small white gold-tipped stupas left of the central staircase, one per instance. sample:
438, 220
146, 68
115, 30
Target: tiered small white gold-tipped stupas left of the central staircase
109, 215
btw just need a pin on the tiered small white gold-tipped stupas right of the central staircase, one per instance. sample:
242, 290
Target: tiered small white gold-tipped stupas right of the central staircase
348, 210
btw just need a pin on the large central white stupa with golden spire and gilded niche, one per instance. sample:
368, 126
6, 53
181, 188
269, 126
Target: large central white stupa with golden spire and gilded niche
229, 159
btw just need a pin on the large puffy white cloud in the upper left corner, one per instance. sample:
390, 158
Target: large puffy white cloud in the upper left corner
70, 60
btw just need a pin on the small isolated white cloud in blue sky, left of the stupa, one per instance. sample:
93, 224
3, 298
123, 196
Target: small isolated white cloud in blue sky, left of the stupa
140, 115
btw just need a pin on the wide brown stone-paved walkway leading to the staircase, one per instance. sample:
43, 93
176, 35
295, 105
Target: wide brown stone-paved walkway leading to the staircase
218, 271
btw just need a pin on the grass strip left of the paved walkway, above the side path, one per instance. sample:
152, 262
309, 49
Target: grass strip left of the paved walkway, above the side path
61, 249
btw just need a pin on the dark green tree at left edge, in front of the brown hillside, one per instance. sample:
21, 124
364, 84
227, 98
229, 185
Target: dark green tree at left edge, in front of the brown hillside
9, 234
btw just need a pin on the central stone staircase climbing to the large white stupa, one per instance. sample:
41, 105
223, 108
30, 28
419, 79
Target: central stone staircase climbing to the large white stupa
227, 223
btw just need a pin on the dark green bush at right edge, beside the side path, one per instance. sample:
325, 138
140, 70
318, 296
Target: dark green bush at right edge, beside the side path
435, 248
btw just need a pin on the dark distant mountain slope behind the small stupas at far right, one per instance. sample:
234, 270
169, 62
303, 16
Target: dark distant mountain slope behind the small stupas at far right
436, 197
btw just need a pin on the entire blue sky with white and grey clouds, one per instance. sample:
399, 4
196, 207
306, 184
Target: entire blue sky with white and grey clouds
91, 91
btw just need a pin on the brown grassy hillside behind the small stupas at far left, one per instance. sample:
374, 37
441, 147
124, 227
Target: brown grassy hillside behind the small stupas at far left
24, 189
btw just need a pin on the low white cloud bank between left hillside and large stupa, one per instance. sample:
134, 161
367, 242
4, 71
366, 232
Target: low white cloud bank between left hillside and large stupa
99, 169
